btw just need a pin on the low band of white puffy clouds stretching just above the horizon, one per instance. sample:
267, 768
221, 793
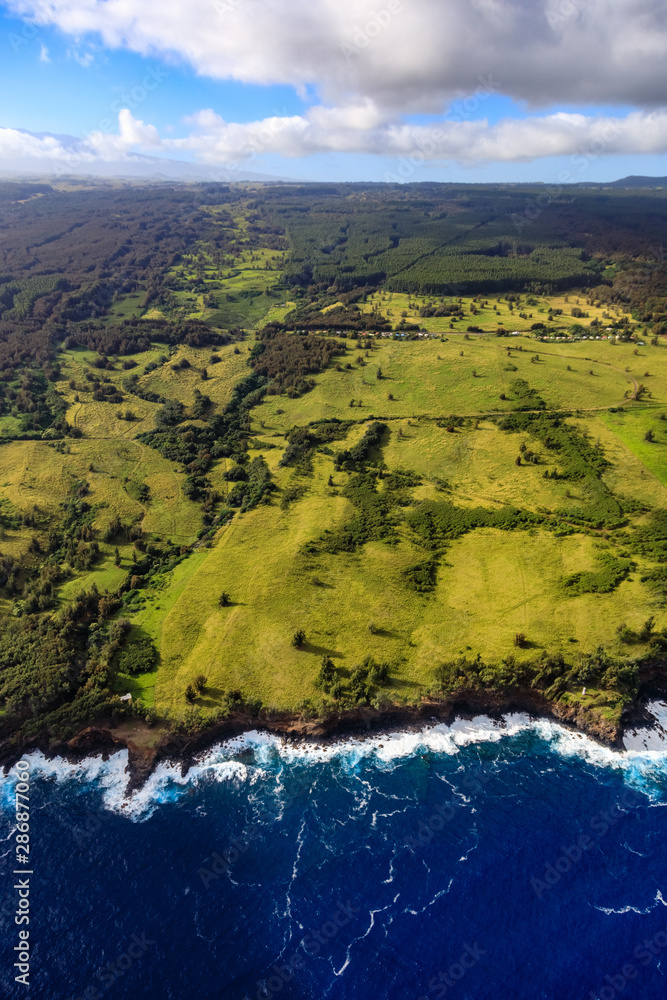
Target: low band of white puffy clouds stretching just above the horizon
358, 128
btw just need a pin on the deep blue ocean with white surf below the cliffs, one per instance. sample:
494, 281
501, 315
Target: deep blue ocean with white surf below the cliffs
470, 862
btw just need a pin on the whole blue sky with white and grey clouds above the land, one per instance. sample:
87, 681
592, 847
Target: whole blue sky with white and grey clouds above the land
557, 91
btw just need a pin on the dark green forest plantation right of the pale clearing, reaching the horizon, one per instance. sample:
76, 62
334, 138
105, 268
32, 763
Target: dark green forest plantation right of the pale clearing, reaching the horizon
452, 239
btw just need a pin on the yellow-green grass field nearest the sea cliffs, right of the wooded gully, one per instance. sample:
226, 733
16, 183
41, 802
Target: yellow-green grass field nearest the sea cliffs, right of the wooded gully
492, 585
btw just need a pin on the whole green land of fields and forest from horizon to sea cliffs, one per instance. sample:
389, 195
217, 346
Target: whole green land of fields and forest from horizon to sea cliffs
236, 477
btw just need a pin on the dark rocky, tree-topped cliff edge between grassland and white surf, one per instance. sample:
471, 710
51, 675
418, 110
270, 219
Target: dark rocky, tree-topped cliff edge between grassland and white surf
99, 740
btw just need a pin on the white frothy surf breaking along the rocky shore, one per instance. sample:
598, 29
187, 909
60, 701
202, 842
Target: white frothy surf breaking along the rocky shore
642, 766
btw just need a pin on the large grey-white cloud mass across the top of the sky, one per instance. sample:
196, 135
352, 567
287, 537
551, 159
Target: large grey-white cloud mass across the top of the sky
404, 55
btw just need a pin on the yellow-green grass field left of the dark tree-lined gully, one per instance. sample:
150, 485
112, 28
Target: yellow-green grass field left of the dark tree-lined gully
35, 476
